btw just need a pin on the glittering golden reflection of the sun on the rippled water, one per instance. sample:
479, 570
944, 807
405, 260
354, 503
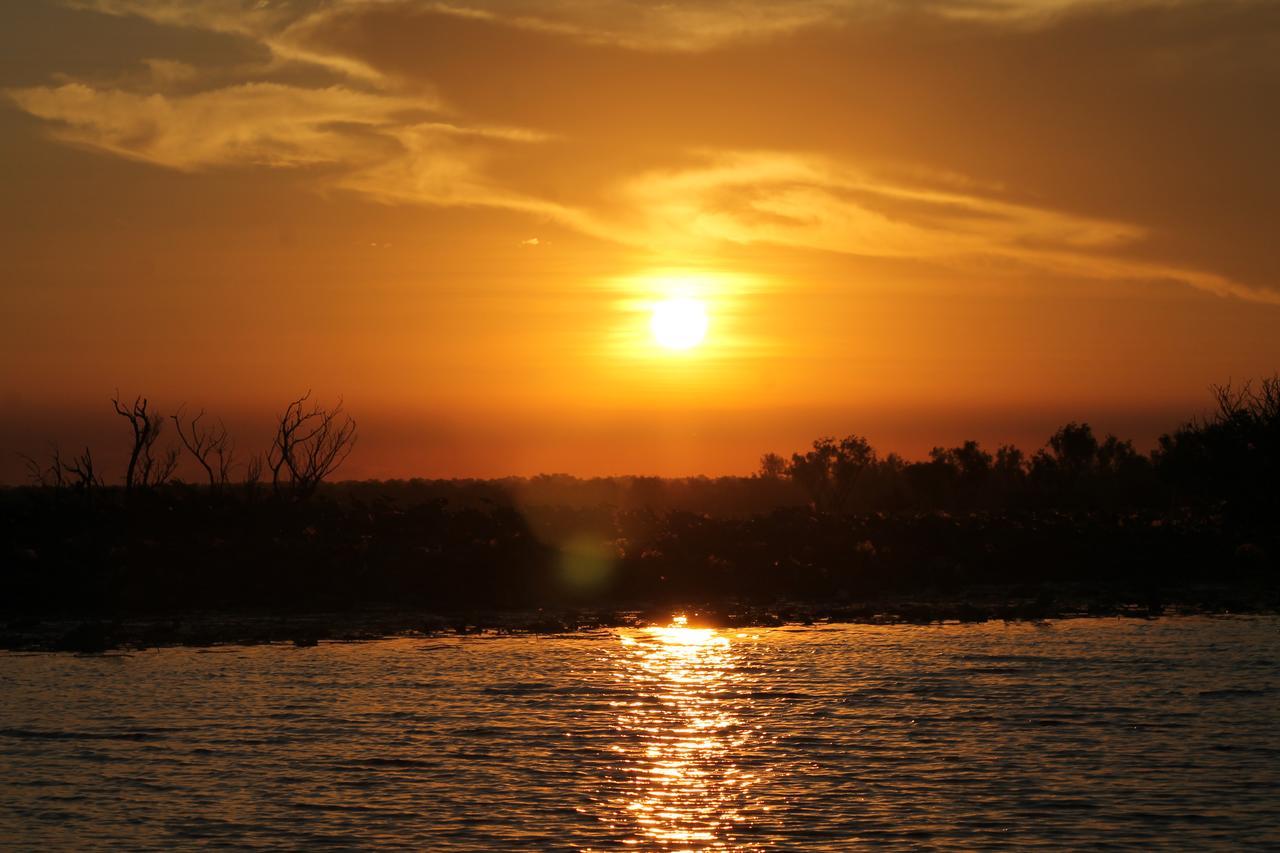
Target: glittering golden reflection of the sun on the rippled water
680, 738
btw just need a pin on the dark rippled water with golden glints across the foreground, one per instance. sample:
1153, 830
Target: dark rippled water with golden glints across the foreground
1114, 733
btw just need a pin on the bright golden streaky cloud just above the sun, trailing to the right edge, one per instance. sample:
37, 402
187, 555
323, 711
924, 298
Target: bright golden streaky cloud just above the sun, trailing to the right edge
813, 203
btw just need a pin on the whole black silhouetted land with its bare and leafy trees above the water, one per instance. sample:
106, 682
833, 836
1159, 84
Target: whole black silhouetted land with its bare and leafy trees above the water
1084, 519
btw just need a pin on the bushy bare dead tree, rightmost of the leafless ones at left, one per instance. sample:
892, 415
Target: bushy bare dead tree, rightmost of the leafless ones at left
310, 444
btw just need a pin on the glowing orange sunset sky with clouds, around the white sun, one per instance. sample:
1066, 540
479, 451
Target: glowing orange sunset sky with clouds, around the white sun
917, 221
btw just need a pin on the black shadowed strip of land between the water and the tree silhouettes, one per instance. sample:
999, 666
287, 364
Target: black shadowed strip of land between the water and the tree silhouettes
193, 567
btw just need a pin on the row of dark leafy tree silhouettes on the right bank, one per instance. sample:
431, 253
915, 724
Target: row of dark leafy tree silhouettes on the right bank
1229, 460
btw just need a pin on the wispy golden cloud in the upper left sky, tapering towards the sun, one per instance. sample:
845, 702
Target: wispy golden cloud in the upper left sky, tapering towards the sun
373, 144
